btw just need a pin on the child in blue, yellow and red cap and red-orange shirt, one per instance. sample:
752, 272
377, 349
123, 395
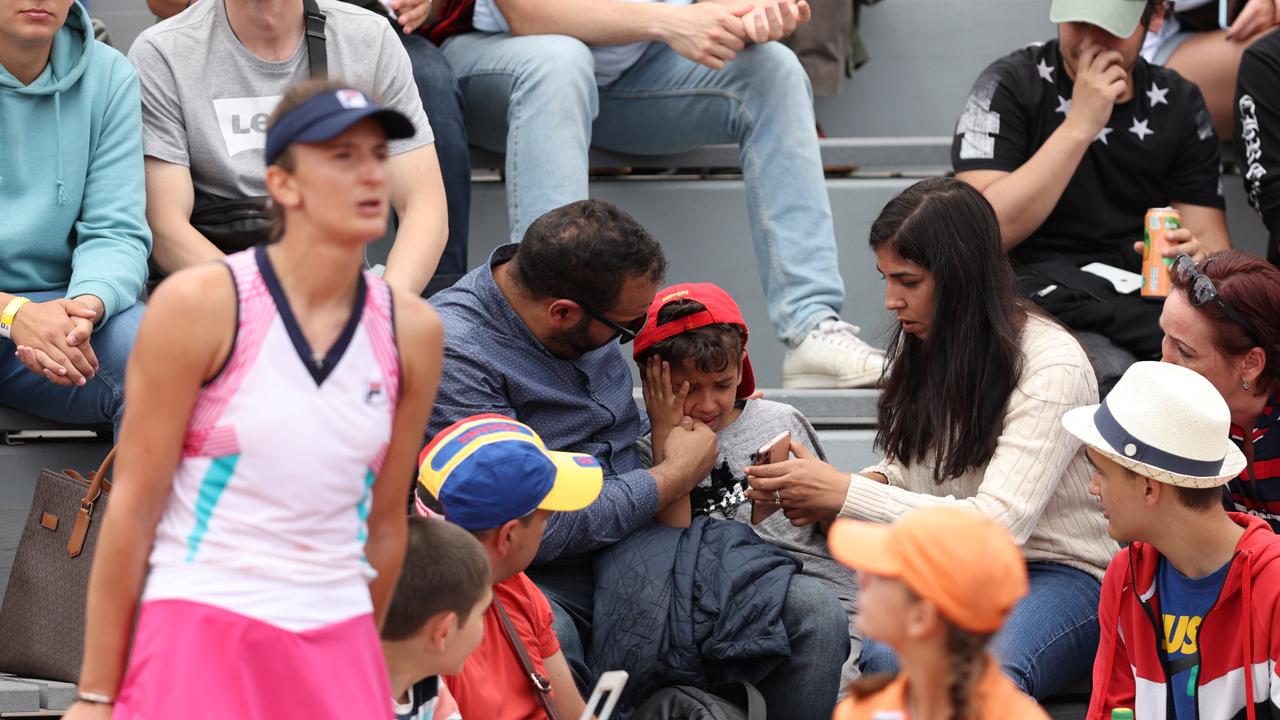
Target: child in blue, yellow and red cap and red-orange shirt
496, 479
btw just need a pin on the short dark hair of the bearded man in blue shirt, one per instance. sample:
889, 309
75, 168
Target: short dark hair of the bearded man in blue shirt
586, 252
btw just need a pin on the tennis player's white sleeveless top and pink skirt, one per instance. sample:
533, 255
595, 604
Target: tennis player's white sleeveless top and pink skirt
257, 605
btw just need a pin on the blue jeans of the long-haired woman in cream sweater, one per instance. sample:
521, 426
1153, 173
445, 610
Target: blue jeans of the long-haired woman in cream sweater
1049, 641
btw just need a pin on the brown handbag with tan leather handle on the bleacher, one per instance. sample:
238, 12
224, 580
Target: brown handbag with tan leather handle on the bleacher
43, 618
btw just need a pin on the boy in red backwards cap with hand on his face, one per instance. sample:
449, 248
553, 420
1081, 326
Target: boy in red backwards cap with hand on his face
693, 363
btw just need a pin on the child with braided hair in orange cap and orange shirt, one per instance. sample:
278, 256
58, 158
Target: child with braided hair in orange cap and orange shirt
938, 603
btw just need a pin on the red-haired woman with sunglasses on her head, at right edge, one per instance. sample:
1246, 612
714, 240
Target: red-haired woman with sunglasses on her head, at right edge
1223, 321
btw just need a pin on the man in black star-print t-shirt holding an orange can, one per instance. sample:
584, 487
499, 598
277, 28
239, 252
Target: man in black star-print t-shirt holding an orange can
1073, 142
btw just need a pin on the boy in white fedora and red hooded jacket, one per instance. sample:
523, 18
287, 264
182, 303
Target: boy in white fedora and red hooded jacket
1188, 609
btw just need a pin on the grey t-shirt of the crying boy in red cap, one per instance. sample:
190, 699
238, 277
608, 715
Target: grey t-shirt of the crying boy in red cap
723, 494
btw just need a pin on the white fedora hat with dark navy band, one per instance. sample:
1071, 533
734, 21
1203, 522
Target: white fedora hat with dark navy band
1163, 422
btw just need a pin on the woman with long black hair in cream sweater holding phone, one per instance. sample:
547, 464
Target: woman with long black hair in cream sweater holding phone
970, 417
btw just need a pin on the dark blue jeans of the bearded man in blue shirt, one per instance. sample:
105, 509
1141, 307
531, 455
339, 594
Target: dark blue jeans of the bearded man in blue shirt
803, 687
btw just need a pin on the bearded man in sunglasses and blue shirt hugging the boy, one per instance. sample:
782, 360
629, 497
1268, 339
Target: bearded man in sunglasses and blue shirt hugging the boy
531, 336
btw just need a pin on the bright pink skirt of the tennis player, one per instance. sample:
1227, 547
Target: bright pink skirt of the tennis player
198, 662
